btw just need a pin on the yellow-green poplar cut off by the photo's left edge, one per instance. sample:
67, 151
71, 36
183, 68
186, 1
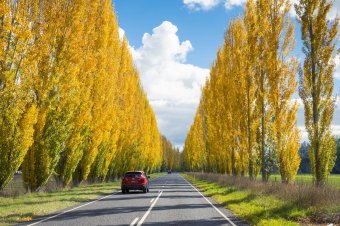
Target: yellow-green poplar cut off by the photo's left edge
17, 110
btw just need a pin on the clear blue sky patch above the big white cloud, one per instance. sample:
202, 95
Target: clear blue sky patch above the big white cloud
204, 29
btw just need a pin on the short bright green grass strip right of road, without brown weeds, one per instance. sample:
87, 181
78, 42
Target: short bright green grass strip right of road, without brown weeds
257, 209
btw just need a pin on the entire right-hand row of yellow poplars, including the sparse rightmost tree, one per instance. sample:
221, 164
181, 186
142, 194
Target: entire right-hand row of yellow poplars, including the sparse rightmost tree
246, 121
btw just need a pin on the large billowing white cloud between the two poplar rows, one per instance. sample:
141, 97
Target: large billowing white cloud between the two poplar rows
172, 86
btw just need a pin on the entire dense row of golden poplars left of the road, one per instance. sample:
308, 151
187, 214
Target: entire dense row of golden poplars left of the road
71, 102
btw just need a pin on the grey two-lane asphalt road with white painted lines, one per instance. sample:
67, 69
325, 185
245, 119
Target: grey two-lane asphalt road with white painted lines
171, 201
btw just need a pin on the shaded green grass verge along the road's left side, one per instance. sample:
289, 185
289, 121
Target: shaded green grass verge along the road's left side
25, 207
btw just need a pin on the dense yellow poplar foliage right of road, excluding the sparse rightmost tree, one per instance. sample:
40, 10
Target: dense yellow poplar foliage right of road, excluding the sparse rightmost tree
246, 120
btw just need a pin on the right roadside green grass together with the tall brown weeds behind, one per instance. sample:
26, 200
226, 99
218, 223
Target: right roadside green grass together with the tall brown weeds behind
271, 203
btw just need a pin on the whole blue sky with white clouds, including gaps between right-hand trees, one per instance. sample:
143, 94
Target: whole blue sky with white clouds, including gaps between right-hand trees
173, 44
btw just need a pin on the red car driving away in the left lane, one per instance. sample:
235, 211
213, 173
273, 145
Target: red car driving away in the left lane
135, 180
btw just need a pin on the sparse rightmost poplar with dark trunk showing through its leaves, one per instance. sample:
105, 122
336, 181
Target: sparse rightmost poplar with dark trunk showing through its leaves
316, 83
